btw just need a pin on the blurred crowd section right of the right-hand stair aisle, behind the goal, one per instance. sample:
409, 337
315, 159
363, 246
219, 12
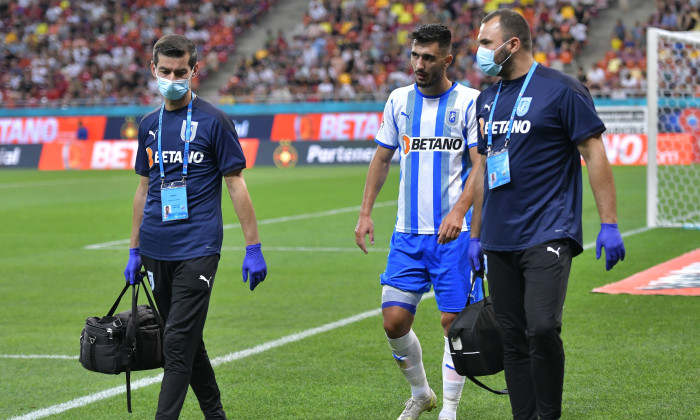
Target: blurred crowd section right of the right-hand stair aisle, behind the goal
621, 73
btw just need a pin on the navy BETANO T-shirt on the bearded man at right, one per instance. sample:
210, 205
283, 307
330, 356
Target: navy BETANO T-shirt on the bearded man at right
542, 202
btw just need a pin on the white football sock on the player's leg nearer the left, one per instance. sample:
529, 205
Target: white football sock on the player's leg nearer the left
409, 357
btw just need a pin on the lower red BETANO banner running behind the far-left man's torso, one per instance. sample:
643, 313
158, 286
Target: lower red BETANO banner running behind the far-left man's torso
108, 154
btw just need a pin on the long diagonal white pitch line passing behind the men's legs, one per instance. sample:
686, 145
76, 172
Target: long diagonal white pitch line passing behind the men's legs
111, 392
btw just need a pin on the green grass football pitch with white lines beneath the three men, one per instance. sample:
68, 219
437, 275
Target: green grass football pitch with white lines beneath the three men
308, 343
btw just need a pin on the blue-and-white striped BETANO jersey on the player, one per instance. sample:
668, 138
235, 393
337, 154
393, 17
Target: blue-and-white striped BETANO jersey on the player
433, 135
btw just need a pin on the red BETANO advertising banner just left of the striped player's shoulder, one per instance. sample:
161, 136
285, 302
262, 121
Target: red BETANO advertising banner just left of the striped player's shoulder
326, 126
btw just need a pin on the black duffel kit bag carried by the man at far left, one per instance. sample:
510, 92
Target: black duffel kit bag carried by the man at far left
128, 341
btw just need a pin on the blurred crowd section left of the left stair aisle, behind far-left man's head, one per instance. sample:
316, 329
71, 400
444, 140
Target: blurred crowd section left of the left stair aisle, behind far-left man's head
90, 52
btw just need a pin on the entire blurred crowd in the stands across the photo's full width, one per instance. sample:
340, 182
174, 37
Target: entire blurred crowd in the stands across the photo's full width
90, 52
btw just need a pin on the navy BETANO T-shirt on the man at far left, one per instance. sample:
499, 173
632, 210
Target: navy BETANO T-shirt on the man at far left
214, 151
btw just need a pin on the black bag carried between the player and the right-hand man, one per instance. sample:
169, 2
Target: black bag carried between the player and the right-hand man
475, 341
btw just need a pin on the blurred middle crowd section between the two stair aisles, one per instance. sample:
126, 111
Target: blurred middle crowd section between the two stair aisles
355, 50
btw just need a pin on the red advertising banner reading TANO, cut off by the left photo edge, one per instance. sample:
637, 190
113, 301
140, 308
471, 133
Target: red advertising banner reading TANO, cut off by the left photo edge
37, 130
